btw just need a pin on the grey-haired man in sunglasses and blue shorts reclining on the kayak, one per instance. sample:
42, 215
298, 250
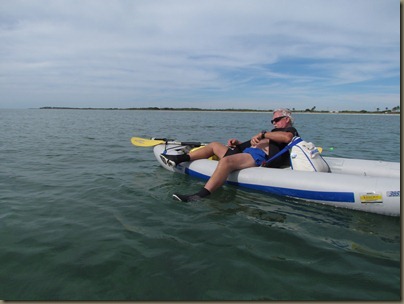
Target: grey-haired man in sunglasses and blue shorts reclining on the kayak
237, 155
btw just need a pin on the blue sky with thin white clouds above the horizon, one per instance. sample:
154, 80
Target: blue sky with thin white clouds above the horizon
215, 54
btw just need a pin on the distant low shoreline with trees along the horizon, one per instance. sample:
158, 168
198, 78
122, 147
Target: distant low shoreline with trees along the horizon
222, 110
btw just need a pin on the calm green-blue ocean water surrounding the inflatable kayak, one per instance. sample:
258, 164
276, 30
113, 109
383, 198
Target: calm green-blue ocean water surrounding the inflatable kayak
87, 216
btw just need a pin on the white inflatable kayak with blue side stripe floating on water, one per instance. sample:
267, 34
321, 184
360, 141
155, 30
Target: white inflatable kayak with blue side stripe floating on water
365, 185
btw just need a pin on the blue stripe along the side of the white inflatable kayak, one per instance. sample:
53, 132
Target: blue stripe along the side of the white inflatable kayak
342, 197
